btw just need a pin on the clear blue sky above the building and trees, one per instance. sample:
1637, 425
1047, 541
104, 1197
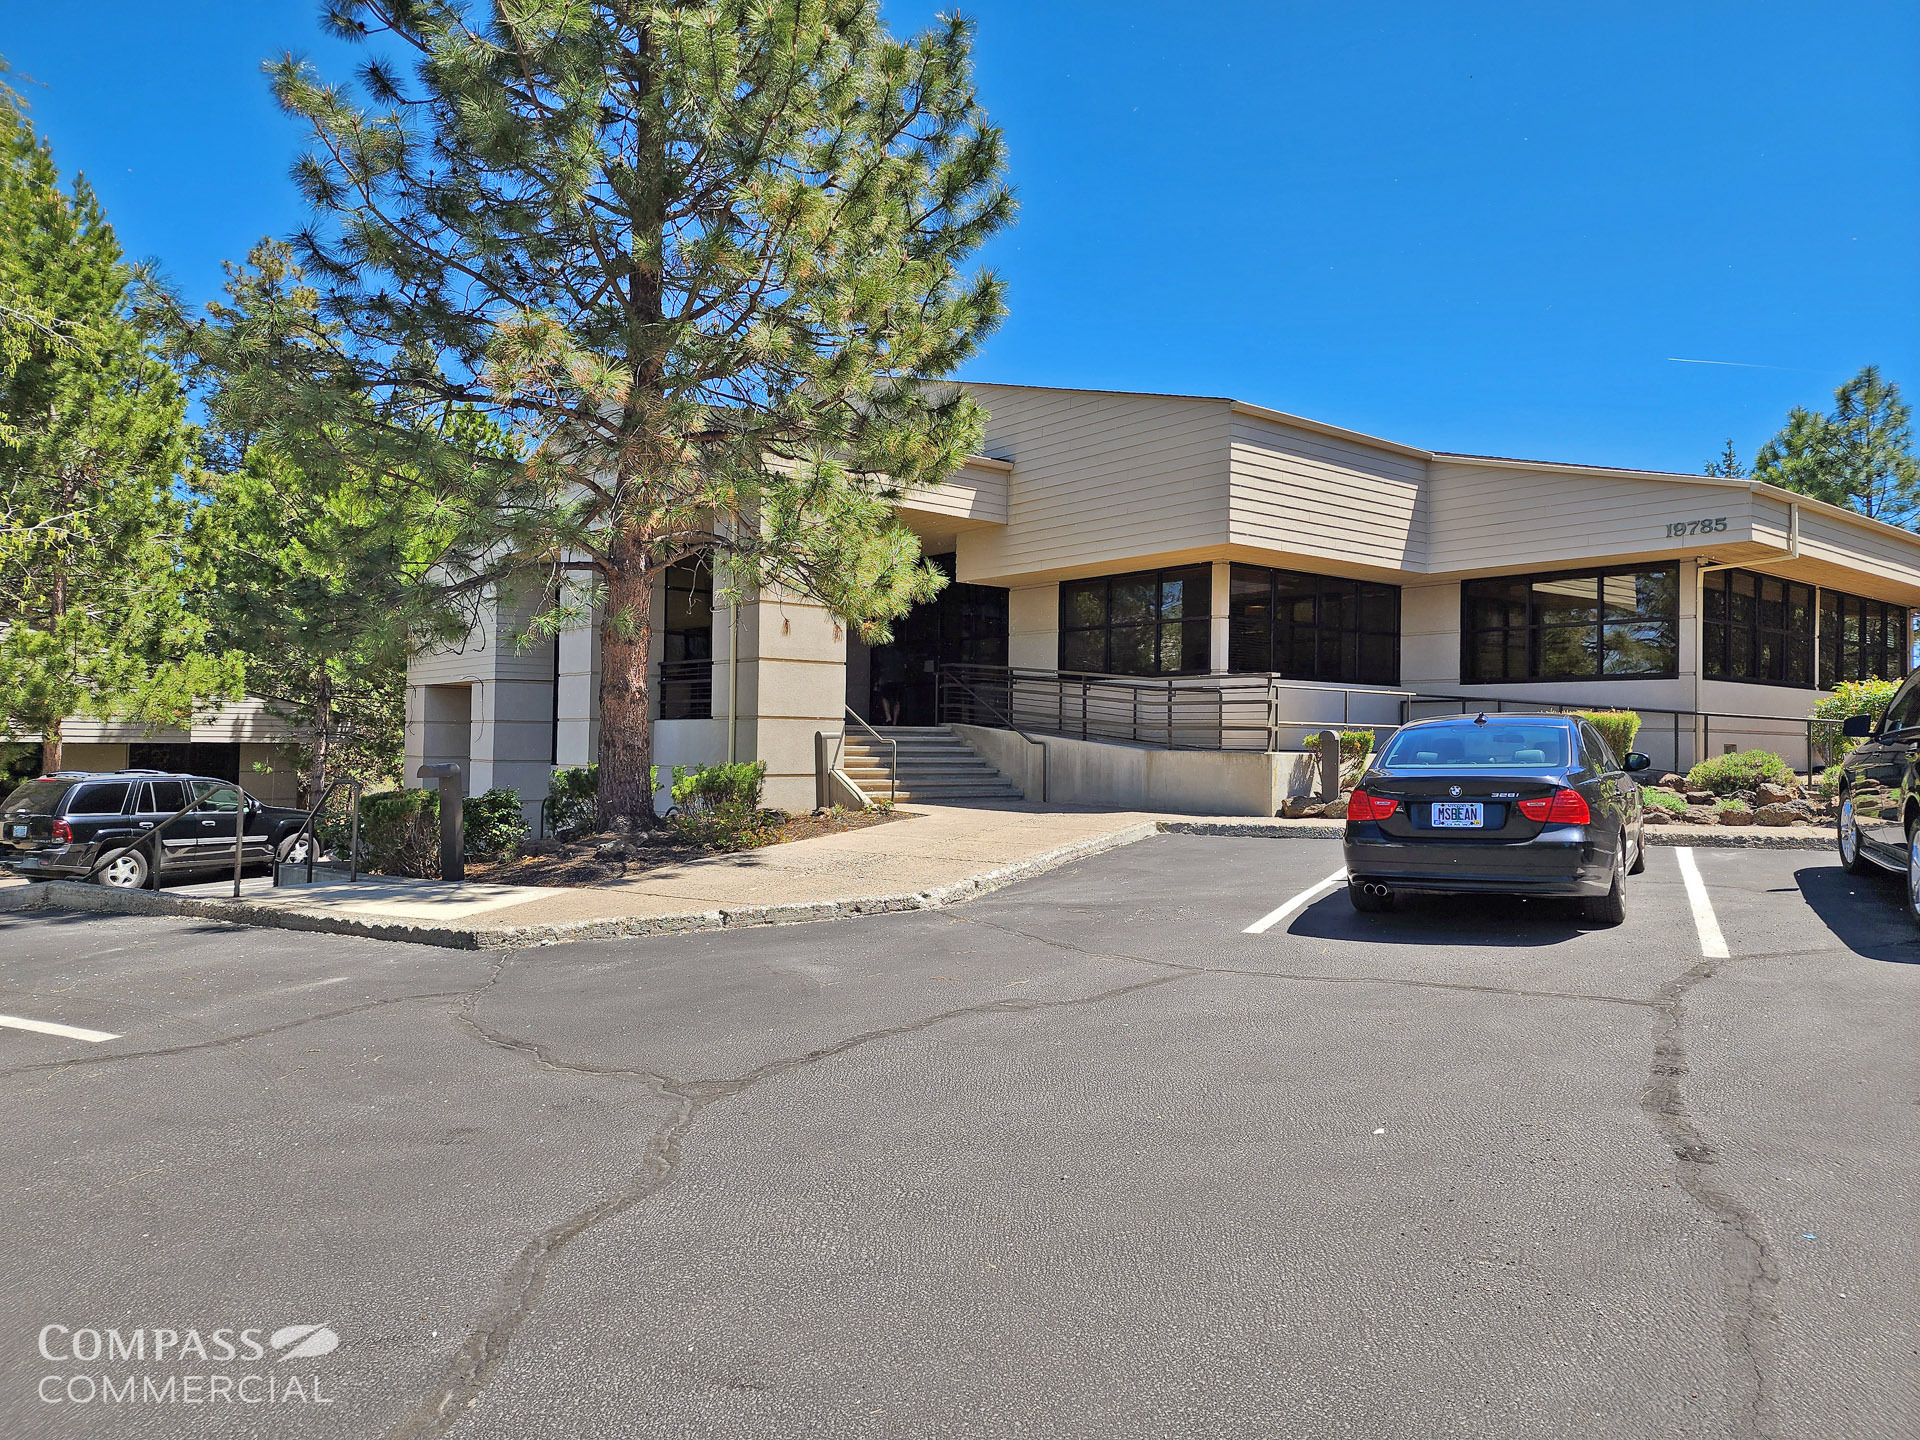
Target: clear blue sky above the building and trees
1483, 228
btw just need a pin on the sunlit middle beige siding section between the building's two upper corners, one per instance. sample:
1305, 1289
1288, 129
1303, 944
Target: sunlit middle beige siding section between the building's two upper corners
1312, 494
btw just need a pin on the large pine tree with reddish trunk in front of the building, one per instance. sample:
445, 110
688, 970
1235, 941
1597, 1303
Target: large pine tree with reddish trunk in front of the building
702, 260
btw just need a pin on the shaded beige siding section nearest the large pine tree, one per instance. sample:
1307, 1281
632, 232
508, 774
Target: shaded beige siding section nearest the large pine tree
1099, 479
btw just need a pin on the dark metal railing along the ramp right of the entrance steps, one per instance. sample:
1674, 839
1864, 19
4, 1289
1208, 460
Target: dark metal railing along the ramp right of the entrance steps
1178, 713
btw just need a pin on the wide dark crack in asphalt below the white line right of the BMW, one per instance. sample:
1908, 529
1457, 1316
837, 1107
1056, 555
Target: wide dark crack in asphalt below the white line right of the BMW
1754, 1272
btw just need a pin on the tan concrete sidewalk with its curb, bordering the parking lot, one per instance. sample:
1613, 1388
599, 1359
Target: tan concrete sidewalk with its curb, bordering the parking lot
934, 857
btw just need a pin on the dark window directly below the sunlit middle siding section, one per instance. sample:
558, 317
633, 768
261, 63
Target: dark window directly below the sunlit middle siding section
1314, 627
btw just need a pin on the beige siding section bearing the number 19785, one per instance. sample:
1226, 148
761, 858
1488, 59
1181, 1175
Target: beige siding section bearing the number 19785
1487, 517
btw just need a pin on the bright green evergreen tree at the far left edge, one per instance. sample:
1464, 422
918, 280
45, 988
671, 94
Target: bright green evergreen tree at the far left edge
91, 437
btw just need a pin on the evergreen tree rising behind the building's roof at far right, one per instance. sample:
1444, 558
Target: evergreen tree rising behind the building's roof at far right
1860, 456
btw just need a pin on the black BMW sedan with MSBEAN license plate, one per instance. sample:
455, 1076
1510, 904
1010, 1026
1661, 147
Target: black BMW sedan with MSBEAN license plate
1506, 804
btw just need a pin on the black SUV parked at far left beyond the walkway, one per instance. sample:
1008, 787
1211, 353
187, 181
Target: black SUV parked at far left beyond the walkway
103, 827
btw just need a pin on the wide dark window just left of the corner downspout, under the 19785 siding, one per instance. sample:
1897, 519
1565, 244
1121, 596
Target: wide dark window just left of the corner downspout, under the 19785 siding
1591, 625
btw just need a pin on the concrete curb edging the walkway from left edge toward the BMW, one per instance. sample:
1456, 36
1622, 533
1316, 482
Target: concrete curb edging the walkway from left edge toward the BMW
68, 896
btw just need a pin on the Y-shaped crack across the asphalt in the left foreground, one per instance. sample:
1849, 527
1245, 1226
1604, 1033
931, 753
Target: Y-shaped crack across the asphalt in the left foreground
489, 1341
